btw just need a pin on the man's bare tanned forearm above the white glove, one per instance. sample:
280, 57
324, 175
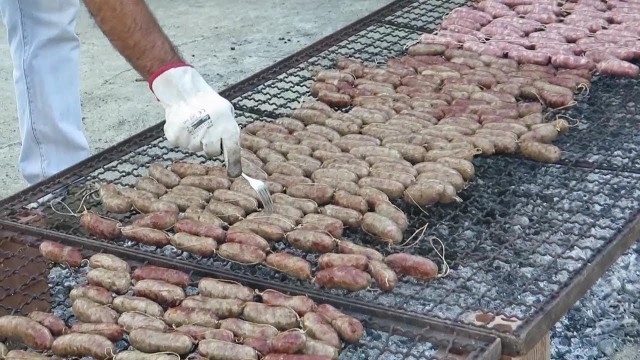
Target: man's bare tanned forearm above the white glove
135, 33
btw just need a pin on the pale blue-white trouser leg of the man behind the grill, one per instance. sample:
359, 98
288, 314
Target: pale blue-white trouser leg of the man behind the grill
45, 52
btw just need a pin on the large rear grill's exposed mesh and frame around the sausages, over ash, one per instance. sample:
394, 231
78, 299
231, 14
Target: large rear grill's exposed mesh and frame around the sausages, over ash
527, 241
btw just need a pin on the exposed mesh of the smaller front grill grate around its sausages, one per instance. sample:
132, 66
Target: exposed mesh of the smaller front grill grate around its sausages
47, 289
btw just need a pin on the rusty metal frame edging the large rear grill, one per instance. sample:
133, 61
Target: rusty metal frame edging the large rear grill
513, 345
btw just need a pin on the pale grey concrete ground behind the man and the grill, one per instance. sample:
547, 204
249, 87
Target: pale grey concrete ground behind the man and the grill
226, 40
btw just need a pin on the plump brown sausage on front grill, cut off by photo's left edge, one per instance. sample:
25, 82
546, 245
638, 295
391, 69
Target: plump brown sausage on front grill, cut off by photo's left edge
27, 331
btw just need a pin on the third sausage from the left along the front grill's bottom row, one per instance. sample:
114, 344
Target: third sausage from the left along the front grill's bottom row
154, 341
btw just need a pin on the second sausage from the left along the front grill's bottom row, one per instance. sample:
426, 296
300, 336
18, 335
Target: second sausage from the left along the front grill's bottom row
81, 345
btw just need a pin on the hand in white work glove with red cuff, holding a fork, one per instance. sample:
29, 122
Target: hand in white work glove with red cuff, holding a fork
197, 117
